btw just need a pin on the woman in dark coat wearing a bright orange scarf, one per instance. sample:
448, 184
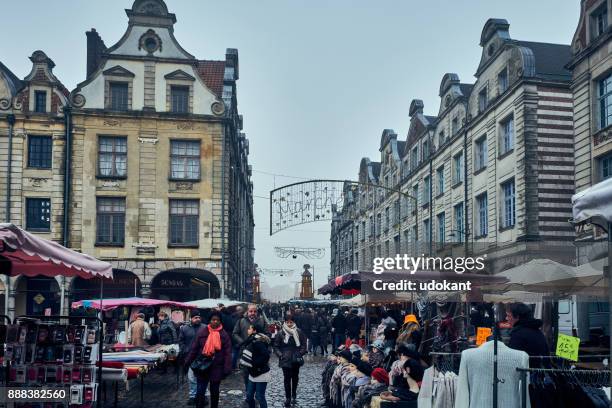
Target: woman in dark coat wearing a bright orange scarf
213, 341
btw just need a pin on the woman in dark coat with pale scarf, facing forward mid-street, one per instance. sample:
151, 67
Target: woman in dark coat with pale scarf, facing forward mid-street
289, 346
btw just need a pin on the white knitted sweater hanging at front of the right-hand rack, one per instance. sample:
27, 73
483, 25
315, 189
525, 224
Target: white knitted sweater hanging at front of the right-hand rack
475, 389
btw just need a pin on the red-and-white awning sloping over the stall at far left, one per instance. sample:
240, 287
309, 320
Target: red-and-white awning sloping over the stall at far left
26, 254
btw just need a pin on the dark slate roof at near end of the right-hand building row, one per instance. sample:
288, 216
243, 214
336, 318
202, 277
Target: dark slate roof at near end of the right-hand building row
550, 59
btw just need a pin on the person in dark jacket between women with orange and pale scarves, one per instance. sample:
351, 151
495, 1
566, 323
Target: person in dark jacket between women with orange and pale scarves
256, 357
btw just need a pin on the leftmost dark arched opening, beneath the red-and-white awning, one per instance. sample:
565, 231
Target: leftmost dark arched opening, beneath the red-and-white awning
37, 295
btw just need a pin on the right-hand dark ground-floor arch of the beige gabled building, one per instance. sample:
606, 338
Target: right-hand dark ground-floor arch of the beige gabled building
183, 285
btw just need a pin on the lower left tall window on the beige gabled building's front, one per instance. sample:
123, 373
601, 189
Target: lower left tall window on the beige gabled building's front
110, 221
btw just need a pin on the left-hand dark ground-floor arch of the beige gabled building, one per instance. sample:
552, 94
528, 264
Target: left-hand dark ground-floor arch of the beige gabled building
123, 284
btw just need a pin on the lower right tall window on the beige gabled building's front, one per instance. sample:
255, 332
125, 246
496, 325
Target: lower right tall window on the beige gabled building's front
184, 220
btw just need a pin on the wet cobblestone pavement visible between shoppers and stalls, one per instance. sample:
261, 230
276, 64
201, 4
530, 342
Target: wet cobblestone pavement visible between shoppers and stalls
162, 391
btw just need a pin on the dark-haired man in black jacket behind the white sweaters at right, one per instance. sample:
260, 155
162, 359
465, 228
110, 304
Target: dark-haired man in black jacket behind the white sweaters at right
526, 334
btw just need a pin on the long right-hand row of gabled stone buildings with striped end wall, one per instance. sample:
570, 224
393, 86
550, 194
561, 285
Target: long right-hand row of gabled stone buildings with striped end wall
491, 173
